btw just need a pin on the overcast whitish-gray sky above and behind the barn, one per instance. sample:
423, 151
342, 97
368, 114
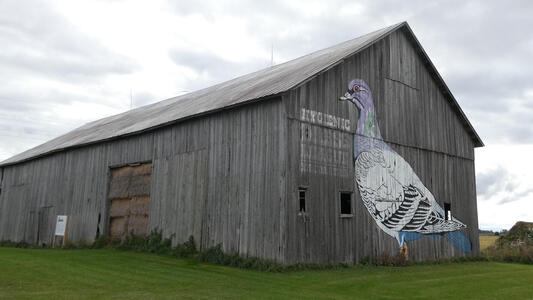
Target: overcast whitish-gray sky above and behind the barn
65, 63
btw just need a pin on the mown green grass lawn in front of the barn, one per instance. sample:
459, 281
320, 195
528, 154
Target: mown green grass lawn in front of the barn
49, 273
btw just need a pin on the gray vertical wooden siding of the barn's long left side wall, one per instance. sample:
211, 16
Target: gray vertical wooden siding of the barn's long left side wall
217, 178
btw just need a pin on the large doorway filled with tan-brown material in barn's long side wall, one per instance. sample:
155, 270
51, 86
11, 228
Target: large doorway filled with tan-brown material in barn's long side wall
129, 198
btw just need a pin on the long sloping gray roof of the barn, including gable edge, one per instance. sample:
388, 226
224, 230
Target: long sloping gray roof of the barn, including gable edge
258, 85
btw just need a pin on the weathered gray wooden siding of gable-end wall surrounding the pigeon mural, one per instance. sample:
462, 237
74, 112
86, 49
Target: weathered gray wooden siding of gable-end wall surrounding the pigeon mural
414, 118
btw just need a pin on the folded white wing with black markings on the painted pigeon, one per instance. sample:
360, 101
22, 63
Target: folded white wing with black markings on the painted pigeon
395, 196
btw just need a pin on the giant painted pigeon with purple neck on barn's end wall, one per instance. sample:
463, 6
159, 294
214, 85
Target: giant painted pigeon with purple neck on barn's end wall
391, 191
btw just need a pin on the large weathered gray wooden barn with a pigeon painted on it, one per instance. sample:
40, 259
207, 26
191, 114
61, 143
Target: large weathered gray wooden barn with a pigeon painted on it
272, 164
